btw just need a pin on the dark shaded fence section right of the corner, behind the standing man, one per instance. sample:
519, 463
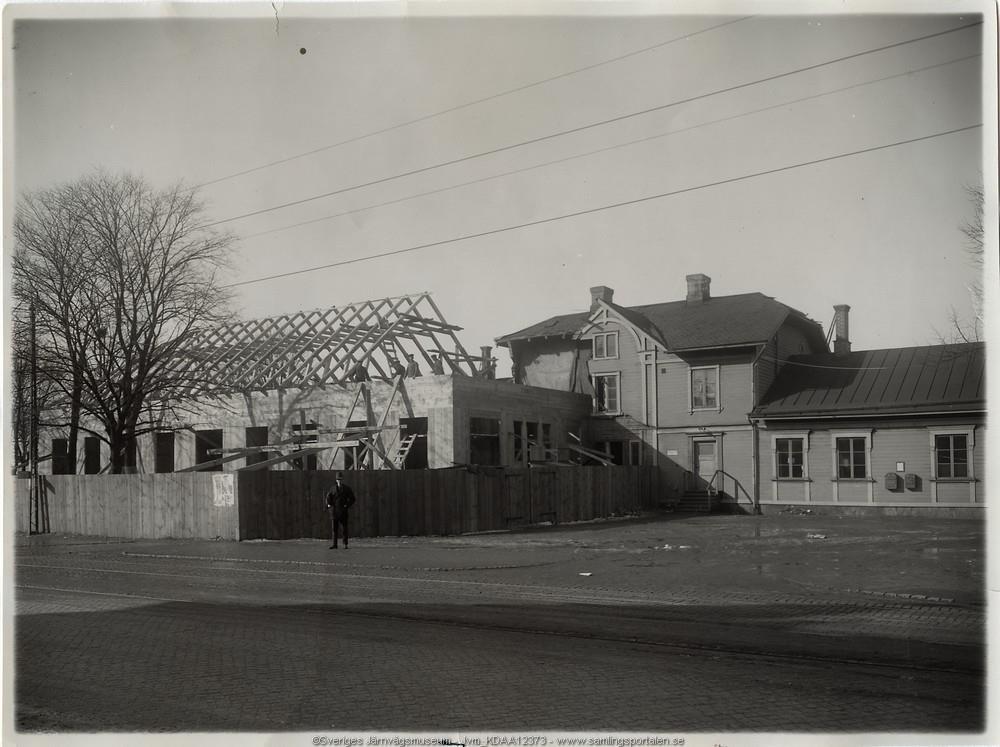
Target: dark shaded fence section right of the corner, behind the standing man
291, 504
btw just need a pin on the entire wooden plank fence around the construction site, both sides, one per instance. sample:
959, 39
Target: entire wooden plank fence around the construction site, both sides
289, 504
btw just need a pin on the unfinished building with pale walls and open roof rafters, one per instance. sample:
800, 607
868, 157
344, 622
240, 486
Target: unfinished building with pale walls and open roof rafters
379, 384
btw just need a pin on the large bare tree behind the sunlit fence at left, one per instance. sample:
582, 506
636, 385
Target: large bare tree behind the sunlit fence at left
121, 277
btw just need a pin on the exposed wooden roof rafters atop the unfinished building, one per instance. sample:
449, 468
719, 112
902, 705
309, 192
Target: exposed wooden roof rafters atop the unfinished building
354, 342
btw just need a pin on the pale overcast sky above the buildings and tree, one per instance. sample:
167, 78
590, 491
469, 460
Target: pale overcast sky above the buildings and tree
199, 100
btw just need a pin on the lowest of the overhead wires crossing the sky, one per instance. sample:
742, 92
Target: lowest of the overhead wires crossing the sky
579, 213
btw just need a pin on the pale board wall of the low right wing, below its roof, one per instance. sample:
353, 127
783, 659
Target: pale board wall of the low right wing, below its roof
908, 443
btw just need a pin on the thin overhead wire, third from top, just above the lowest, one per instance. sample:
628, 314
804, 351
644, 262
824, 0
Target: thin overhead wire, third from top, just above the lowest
609, 148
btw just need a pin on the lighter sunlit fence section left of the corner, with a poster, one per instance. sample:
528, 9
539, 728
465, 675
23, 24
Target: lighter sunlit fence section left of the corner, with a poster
188, 505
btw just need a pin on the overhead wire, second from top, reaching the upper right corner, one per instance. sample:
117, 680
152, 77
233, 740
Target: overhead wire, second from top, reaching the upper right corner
581, 128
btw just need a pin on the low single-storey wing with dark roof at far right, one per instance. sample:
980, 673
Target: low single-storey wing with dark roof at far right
903, 427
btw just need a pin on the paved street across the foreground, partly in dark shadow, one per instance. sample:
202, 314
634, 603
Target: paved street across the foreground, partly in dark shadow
447, 634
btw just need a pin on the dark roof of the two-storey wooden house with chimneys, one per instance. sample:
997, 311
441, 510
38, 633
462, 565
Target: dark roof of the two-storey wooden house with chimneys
744, 319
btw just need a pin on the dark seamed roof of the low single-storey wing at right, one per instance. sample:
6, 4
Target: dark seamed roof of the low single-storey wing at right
894, 381
